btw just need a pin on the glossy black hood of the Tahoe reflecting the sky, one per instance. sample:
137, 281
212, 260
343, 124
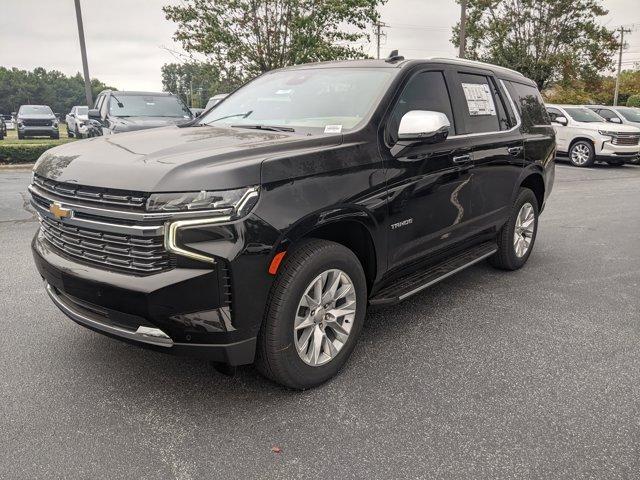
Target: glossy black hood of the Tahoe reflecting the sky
174, 159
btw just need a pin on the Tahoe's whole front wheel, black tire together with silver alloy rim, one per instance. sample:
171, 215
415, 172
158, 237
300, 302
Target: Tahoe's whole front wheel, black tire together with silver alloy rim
277, 354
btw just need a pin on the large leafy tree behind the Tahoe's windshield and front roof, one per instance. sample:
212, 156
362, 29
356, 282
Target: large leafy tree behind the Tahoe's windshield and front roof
255, 36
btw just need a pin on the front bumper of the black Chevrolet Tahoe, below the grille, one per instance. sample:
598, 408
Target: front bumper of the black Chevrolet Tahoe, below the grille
177, 311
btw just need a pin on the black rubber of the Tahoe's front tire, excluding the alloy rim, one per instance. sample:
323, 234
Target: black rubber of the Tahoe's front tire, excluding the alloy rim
296, 372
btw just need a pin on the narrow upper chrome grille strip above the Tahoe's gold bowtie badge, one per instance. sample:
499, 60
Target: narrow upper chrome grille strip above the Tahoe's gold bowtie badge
91, 195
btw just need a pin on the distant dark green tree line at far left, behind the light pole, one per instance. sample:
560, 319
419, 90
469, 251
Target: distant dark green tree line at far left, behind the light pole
42, 87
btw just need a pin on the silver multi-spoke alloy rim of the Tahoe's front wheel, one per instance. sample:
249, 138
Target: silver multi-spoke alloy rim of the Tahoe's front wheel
324, 317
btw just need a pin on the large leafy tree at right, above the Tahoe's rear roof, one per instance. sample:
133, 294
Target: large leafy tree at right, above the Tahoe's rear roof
546, 40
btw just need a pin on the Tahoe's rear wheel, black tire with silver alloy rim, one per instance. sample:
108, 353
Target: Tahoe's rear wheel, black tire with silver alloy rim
508, 257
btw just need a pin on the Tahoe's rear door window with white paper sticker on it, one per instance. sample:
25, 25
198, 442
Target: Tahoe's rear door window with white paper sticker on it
485, 111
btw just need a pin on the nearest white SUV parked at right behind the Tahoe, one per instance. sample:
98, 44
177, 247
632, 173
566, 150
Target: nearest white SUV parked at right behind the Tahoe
585, 137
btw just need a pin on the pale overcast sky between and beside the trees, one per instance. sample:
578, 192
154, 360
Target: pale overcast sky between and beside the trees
127, 40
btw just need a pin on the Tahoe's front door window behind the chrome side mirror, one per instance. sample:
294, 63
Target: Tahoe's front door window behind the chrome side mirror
424, 91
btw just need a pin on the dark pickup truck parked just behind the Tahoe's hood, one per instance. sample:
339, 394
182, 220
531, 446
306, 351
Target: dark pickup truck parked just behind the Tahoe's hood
119, 112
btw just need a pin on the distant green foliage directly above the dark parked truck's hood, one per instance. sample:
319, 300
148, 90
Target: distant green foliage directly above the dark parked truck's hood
197, 82
